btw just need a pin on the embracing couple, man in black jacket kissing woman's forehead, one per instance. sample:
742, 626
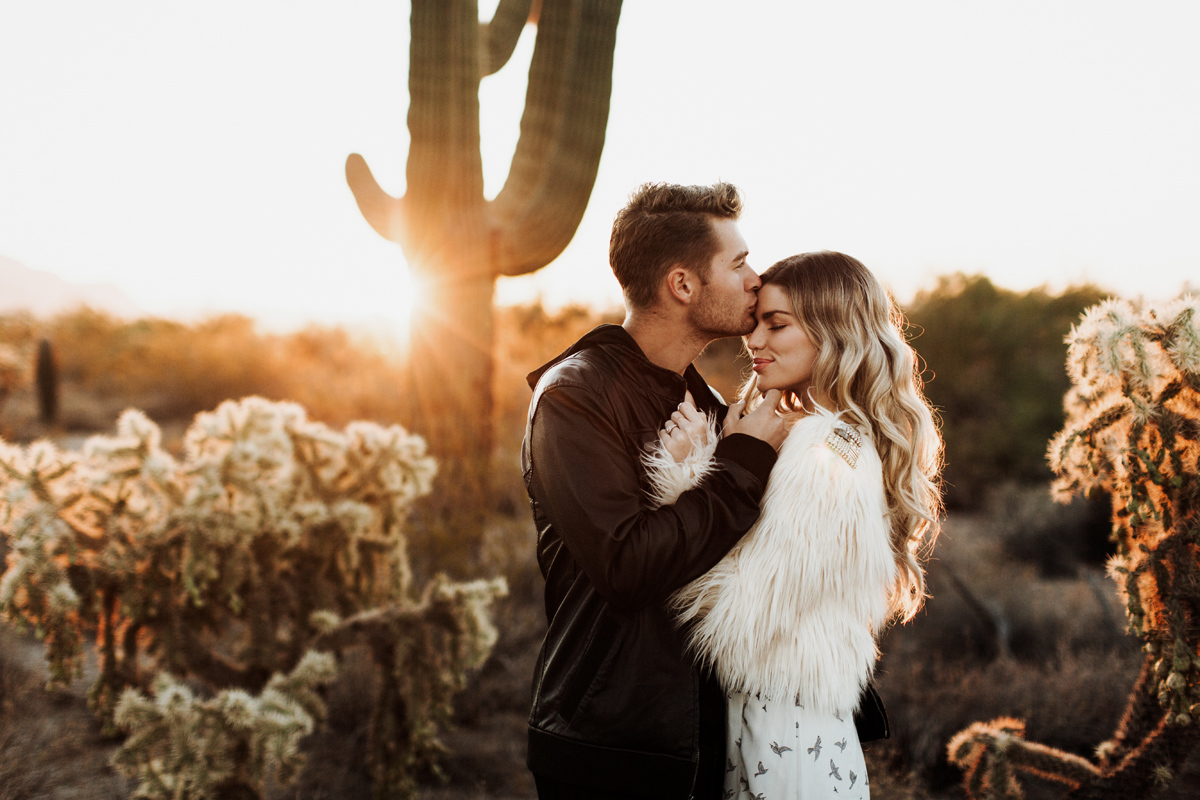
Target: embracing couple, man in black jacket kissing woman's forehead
717, 576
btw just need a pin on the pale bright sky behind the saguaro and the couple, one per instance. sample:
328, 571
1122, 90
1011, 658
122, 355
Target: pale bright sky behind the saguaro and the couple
193, 153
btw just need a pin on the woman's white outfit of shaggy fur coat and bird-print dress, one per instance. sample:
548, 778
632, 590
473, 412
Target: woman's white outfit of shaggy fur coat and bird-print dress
794, 610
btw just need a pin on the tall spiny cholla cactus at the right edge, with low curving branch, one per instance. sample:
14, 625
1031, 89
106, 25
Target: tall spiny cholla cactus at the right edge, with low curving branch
1133, 430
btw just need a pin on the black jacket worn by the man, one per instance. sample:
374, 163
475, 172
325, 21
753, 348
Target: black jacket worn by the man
616, 700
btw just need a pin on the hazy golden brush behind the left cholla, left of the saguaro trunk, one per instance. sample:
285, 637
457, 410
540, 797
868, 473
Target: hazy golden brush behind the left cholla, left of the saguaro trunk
173, 370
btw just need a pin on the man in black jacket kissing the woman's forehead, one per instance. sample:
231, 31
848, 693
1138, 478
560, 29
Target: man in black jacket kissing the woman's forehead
620, 711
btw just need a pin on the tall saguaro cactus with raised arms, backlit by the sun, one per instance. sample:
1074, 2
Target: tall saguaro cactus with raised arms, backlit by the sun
454, 240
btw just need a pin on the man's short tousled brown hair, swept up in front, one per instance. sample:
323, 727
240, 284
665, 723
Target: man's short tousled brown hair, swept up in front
665, 225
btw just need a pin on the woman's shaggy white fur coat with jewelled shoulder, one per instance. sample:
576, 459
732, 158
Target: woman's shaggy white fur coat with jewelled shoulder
795, 607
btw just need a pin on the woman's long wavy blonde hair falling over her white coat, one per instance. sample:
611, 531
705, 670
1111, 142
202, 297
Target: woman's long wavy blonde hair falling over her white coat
866, 369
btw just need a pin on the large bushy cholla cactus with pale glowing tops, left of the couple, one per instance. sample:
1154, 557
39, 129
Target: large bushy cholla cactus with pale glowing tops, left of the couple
272, 537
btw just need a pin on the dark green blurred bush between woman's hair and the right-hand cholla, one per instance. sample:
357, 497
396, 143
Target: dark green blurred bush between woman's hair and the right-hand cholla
994, 370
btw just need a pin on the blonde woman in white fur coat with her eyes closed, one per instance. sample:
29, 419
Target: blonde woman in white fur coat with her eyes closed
790, 618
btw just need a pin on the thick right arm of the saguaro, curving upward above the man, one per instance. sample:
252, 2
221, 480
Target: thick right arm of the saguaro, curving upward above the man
562, 135
